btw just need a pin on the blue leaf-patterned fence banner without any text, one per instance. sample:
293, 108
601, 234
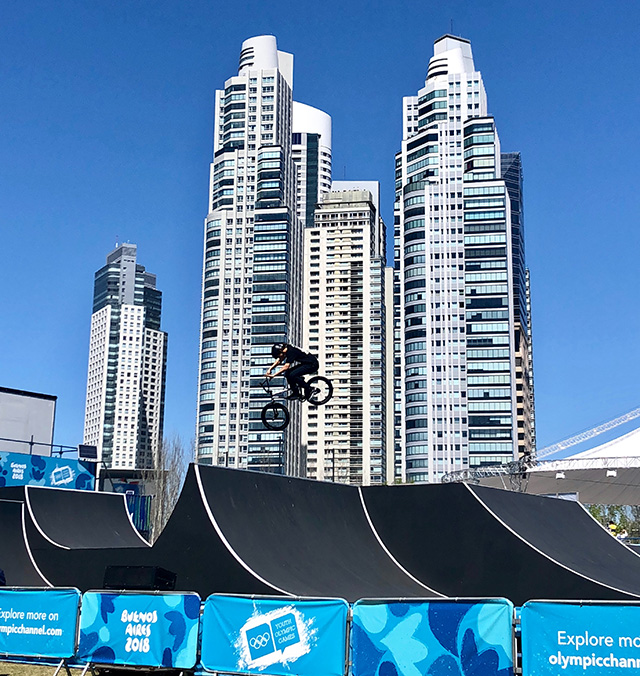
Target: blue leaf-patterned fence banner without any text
449, 638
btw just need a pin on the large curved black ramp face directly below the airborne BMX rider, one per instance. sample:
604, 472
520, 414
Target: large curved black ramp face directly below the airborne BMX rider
308, 538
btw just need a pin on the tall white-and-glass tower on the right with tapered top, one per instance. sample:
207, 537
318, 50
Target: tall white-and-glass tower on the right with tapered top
461, 310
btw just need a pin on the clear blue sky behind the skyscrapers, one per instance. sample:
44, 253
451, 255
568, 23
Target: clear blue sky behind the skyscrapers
106, 116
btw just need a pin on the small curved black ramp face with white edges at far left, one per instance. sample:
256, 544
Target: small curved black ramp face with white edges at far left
82, 519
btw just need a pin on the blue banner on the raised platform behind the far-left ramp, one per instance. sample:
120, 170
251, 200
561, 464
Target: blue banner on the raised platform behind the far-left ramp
19, 469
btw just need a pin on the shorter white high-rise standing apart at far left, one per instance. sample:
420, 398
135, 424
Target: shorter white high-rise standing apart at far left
127, 364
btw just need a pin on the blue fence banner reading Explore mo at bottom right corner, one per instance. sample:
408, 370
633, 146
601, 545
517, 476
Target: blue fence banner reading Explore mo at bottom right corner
573, 638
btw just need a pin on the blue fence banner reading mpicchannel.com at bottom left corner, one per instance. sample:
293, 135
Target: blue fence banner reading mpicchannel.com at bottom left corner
38, 623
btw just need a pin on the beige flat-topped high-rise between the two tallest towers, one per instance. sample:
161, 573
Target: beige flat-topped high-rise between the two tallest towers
346, 439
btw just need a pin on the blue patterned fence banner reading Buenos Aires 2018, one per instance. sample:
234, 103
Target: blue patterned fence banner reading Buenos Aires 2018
143, 630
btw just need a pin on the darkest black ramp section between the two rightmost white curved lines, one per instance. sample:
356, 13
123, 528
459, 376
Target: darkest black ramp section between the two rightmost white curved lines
443, 535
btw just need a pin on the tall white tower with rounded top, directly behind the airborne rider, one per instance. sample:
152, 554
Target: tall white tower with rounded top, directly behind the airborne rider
253, 257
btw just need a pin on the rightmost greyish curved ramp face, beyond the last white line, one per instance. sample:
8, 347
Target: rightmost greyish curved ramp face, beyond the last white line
564, 531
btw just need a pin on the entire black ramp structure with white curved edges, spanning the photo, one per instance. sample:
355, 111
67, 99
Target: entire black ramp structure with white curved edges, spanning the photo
243, 532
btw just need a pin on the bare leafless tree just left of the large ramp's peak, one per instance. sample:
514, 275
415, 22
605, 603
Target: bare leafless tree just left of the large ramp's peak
164, 482
